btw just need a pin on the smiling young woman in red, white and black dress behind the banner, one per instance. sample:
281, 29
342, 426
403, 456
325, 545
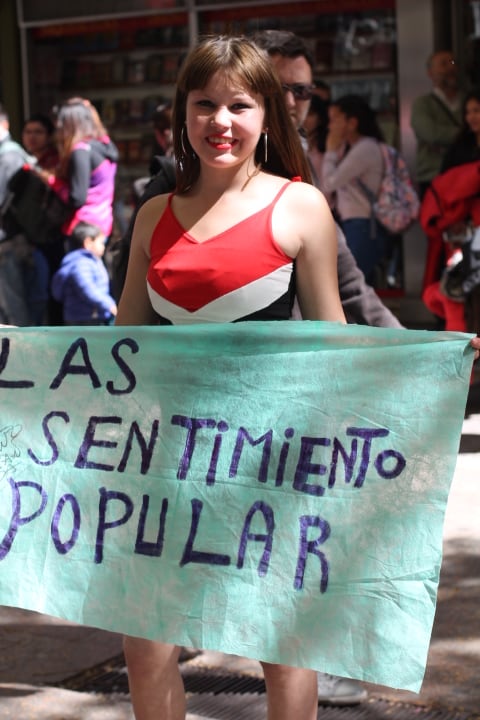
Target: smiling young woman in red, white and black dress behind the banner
233, 232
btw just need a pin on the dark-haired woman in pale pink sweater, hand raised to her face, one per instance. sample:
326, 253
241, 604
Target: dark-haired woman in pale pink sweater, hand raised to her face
352, 158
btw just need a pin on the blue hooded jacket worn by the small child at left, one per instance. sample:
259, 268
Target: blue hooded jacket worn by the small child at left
83, 286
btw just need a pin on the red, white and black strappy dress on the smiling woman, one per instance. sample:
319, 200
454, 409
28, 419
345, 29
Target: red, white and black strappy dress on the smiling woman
239, 274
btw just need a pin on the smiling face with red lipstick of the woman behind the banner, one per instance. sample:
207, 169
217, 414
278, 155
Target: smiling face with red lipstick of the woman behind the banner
224, 121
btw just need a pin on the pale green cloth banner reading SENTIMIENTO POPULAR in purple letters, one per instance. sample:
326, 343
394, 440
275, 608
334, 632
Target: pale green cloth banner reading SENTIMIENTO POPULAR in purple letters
272, 490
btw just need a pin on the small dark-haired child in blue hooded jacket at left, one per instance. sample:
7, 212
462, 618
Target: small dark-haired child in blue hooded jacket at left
82, 283
